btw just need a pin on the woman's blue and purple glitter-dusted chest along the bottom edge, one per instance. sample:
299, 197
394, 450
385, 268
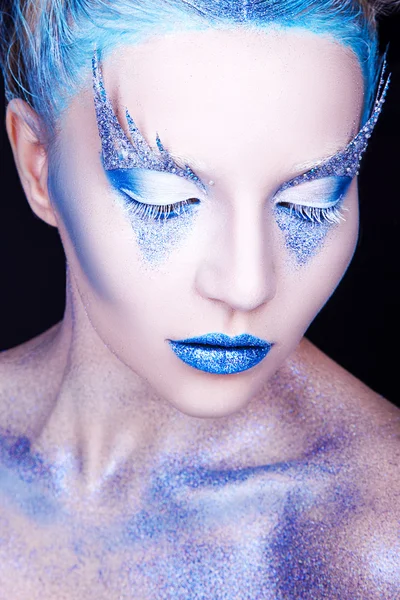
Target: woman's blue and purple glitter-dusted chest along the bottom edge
236, 545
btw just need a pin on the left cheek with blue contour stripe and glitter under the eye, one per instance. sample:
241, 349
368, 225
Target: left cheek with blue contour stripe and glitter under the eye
113, 262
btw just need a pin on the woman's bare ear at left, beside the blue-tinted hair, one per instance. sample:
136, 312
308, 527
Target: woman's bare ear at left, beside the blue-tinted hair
30, 155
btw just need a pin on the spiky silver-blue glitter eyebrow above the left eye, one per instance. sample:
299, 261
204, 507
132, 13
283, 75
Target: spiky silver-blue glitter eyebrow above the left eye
120, 152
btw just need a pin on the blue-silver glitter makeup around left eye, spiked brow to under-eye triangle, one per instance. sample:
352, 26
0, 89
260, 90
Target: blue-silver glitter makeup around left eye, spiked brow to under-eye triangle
157, 226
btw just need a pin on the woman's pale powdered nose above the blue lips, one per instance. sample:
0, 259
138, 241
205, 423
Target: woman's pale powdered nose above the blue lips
237, 267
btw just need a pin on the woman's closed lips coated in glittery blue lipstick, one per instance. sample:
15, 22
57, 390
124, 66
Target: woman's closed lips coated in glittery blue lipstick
220, 354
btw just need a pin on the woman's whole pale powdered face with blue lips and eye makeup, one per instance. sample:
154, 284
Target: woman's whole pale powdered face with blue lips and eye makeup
233, 242
